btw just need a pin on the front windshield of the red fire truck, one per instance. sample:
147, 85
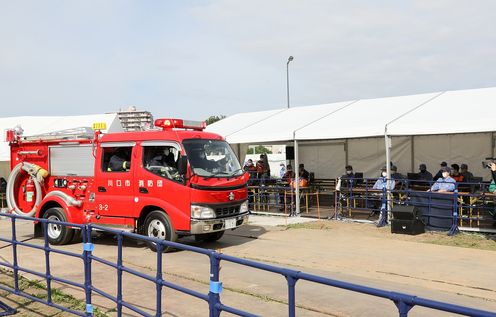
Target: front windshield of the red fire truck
212, 158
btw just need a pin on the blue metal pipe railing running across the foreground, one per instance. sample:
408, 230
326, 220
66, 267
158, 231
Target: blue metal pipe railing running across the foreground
404, 302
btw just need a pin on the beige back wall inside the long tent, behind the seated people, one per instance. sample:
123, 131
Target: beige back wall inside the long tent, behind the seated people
327, 158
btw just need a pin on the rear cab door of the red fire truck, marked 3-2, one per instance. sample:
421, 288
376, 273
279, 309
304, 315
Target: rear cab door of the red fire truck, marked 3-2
114, 195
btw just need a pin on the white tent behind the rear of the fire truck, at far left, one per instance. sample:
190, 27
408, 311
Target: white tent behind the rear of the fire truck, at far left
38, 125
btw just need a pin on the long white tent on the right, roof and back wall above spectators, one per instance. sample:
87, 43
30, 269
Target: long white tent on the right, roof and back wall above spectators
452, 126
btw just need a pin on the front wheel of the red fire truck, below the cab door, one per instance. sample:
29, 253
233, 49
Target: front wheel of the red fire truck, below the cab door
158, 225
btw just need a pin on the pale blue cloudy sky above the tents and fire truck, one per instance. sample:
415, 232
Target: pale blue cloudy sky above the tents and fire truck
193, 59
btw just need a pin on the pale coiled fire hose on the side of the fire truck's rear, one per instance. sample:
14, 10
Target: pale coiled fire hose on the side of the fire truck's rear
37, 175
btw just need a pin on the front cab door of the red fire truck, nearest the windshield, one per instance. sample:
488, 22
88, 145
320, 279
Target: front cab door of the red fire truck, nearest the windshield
160, 181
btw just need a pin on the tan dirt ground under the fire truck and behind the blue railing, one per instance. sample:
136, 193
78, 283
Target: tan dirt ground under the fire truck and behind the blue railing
431, 265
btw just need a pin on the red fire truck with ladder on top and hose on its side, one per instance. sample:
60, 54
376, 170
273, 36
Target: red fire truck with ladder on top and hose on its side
171, 181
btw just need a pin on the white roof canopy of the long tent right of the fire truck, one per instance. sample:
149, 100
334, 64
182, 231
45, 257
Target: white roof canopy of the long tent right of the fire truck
422, 114
